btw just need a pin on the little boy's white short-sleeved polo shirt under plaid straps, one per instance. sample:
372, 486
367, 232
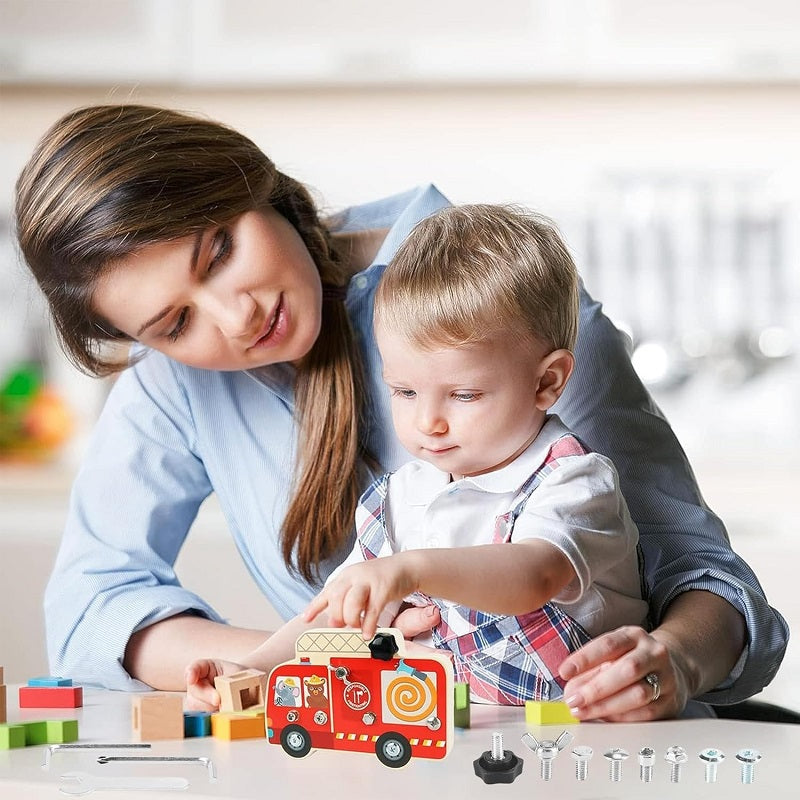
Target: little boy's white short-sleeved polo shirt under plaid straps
578, 507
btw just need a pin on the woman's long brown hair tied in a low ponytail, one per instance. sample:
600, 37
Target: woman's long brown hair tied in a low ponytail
106, 181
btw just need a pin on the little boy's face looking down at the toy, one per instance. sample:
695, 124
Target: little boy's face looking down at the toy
466, 410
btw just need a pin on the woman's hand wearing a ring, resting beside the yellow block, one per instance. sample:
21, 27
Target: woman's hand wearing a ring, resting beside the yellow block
606, 677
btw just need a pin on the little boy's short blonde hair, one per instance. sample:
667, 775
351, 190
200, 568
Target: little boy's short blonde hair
470, 272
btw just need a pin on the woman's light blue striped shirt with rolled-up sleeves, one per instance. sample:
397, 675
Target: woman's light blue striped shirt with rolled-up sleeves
169, 435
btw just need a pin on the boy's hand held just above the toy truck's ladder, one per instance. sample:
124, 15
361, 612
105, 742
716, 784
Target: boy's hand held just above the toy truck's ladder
358, 595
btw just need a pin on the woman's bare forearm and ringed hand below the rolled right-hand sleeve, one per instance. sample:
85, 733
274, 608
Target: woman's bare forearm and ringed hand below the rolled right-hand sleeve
692, 651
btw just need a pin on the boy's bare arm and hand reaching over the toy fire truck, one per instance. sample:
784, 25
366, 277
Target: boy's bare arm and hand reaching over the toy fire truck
512, 579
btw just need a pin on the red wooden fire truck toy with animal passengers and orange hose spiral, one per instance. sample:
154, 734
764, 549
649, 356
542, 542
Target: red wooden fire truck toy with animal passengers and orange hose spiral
342, 693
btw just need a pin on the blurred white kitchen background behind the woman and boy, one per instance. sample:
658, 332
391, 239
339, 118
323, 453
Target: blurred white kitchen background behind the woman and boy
662, 136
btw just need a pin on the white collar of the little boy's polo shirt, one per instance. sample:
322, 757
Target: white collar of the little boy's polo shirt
427, 482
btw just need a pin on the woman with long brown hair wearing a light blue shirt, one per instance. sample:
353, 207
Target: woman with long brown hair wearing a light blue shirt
258, 378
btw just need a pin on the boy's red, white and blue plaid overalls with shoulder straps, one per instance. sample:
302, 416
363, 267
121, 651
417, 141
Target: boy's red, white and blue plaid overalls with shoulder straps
506, 660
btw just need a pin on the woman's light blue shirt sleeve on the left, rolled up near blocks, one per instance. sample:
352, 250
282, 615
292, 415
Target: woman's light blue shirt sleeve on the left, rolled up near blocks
133, 501
